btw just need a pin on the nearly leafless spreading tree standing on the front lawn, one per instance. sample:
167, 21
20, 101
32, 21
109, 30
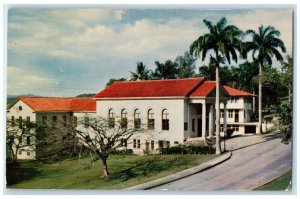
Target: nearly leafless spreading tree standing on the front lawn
100, 136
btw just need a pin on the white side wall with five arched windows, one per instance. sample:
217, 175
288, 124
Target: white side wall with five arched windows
174, 107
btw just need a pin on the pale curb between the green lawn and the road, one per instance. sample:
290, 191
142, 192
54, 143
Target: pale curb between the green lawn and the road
182, 174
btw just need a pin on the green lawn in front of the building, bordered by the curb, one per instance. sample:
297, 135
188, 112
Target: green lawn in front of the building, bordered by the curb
125, 171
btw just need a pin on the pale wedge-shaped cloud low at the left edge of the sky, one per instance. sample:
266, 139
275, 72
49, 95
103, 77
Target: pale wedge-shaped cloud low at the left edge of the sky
21, 81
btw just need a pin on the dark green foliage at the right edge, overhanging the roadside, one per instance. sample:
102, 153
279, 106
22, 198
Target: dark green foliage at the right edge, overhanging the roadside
285, 122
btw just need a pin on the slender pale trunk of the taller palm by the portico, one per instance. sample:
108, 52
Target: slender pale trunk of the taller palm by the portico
218, 147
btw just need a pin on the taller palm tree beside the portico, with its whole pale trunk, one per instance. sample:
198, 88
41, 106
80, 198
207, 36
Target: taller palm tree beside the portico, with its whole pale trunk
224, 40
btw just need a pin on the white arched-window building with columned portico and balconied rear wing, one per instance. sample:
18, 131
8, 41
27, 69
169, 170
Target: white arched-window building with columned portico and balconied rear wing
174, 111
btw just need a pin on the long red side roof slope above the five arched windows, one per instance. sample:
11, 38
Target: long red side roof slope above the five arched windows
151, 88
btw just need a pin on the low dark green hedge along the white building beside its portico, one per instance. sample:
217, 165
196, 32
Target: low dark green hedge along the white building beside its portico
186, 149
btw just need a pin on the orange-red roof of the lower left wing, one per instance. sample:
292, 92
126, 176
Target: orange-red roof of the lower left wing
60, 104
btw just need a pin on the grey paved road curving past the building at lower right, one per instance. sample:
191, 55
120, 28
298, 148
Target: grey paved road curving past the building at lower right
255, 160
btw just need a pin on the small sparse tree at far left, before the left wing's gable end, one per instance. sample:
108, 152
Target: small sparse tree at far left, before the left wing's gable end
20, 135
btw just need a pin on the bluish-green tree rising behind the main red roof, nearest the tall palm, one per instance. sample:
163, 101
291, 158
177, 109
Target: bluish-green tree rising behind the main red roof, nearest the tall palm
186, 65
